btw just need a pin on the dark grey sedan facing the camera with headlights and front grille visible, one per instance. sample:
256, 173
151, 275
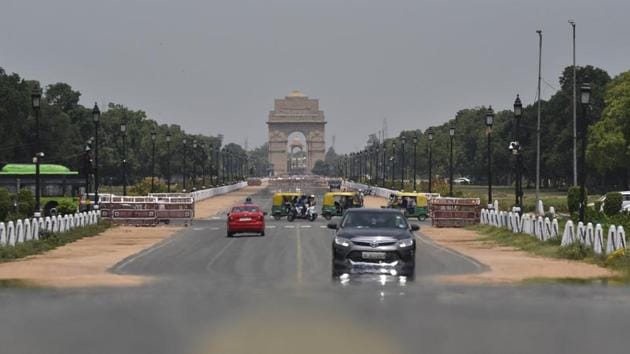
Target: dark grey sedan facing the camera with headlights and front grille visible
374, 241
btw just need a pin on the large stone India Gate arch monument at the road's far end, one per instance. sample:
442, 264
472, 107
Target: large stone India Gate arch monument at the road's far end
295, 113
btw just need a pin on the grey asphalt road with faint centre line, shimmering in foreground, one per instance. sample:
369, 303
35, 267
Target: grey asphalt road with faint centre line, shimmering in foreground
275, 294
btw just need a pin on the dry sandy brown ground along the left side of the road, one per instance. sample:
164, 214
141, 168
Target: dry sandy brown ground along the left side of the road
86, 262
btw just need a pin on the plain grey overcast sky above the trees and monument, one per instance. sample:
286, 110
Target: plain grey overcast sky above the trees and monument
216, 66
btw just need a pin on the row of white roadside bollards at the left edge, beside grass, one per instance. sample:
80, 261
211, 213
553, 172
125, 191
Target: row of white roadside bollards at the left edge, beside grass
20, 231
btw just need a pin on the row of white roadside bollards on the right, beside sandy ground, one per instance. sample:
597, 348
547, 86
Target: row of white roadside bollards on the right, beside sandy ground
591, 236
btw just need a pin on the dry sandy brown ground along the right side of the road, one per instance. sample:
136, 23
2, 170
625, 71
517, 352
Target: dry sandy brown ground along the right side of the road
506, 264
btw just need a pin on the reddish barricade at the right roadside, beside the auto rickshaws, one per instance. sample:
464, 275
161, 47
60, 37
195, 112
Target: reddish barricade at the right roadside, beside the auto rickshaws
455, 212
